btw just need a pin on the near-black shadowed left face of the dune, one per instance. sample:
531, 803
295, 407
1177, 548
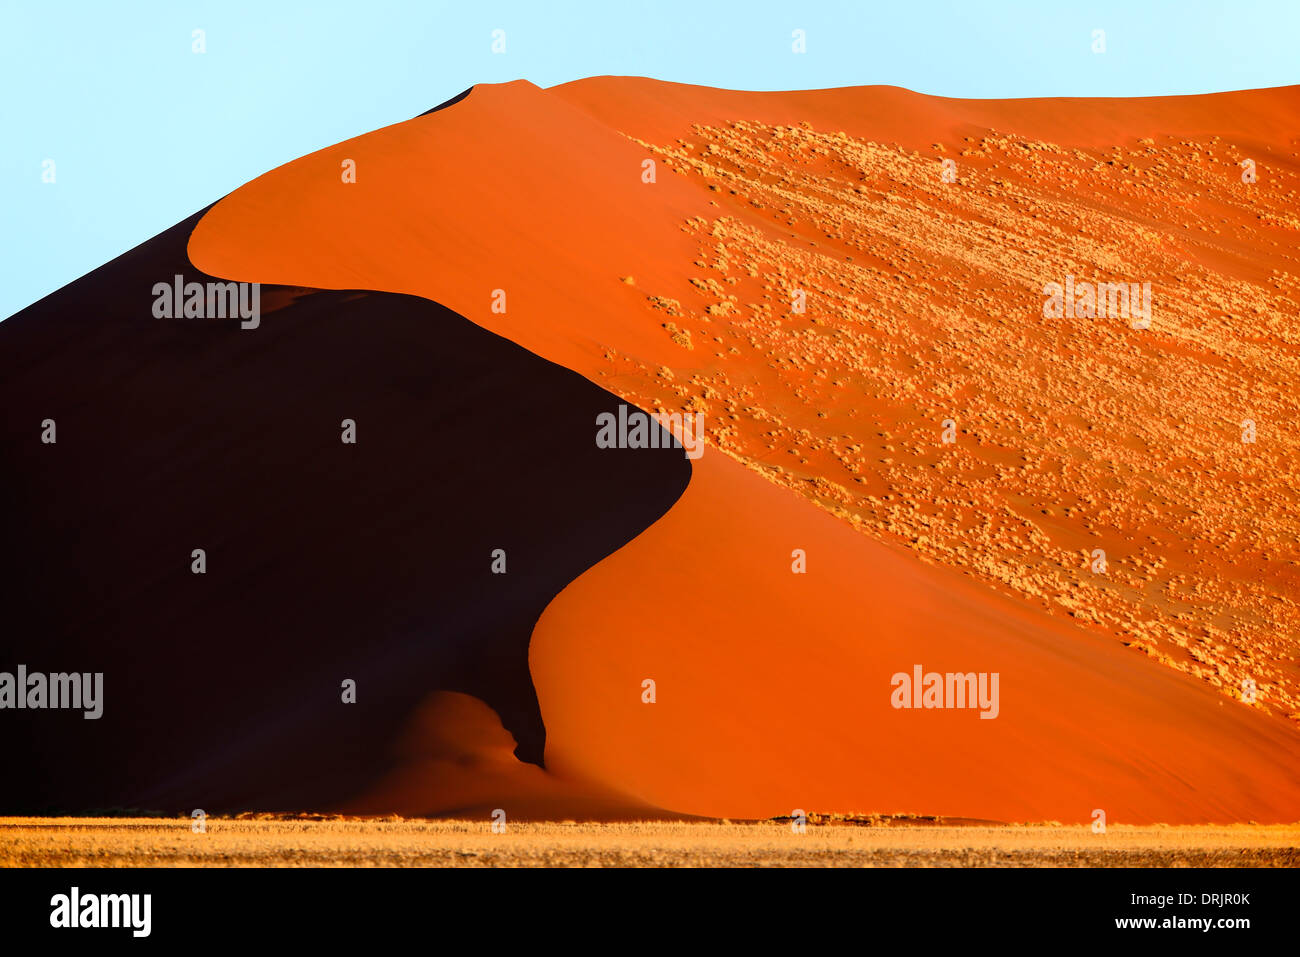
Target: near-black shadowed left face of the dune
324, 561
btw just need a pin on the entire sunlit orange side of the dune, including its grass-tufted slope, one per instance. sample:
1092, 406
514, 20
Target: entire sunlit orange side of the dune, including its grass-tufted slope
924, 304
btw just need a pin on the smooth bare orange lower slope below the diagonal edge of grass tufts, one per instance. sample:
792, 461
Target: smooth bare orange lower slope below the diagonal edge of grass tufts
773, 690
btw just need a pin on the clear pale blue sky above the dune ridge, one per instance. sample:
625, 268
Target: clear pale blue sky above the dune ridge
144, 132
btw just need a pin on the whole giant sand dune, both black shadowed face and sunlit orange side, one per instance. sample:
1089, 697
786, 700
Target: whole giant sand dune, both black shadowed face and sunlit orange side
1121, 690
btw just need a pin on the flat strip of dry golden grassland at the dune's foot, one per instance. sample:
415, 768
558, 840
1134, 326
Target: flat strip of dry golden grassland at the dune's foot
384, 843
